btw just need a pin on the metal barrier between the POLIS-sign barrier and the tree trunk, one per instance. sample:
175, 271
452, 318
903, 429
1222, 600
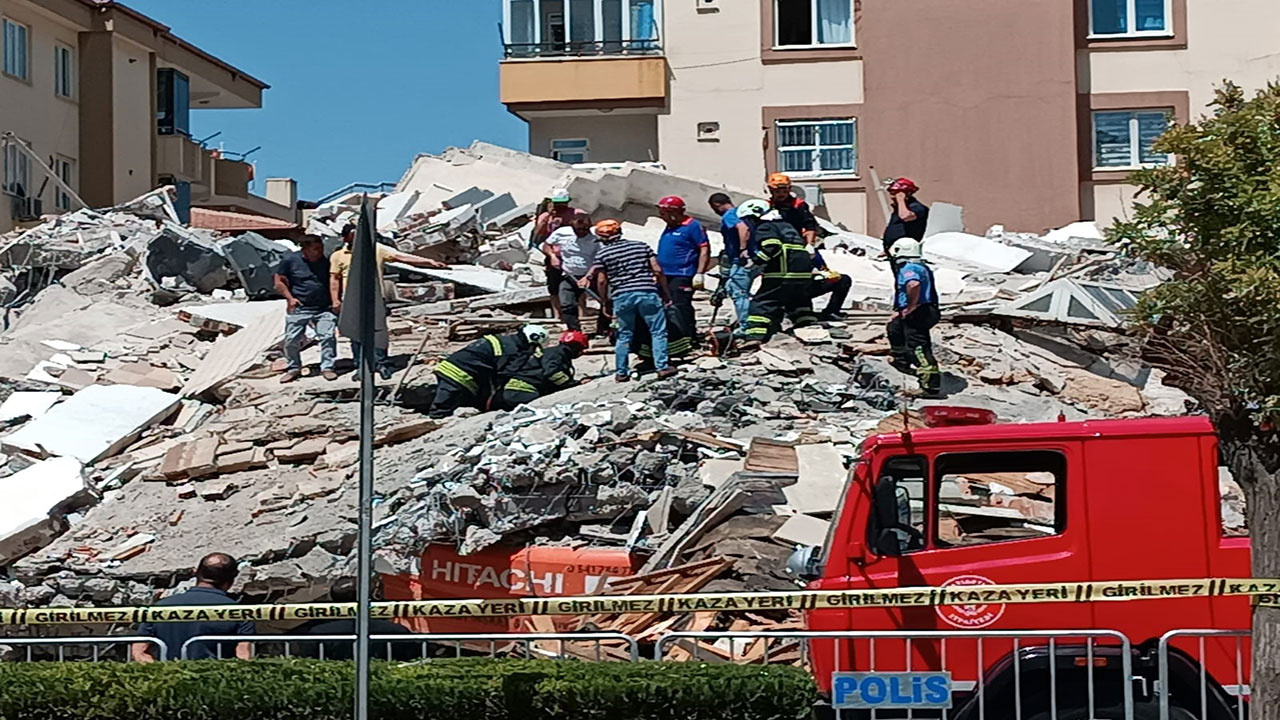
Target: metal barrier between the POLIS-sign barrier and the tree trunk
1201, 649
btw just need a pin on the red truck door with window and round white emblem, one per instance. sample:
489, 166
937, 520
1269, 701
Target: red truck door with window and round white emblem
996, 517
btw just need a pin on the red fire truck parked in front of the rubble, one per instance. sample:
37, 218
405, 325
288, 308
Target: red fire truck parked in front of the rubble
972, 503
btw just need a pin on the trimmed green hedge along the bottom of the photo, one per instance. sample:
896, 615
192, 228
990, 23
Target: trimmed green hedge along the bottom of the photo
450, 690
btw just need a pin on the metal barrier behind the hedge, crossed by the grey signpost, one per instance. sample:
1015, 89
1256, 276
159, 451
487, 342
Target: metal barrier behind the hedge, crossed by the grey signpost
560, 646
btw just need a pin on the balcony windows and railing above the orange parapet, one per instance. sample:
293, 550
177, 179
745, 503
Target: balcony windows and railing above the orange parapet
579, 29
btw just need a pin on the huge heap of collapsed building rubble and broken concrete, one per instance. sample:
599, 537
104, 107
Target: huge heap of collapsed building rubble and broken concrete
702, 482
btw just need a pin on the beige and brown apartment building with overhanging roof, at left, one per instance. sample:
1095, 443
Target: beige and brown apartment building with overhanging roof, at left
103, 95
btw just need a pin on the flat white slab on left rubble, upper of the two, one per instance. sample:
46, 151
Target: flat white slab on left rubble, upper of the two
97, 422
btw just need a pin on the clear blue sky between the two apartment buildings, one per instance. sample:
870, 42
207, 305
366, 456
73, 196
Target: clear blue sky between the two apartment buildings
358, 89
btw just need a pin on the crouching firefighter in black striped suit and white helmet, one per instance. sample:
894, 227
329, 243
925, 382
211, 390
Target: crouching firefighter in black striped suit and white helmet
469, 377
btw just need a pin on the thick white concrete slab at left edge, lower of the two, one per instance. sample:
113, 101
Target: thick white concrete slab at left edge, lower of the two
31, 514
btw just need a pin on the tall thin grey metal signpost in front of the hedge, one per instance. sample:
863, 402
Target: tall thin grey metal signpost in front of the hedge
364, 244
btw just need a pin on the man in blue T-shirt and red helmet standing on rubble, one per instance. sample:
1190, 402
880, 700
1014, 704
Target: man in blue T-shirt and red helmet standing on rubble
684, 256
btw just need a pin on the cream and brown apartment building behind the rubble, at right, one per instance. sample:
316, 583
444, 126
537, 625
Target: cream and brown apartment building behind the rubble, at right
1030, 113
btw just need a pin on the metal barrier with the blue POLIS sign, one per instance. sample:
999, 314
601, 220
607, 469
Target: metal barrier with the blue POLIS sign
971, 658
